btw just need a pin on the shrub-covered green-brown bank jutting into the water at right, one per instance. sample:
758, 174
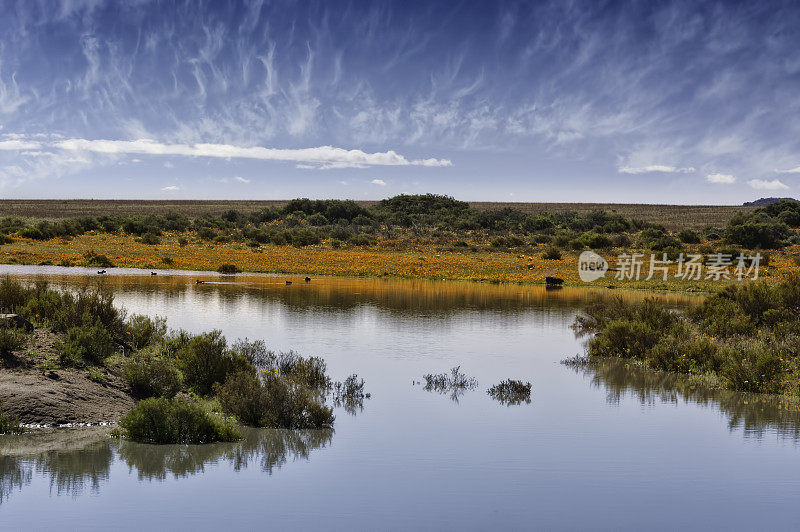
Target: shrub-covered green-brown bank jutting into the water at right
745, 337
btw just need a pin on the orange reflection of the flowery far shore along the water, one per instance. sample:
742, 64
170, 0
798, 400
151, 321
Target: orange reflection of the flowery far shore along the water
332, 294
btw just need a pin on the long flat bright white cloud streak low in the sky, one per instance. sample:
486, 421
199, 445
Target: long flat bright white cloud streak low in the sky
322, 156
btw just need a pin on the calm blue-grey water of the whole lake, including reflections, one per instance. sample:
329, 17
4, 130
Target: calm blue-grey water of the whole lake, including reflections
606, 447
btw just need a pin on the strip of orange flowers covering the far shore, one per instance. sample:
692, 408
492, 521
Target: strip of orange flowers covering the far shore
424, 261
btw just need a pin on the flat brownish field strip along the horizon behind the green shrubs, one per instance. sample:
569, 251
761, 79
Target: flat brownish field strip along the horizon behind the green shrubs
672, 216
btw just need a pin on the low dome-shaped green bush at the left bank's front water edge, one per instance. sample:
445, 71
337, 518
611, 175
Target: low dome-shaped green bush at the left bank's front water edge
174, 421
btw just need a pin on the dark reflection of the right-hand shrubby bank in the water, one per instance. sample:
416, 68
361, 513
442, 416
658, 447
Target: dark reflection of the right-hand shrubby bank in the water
755, 415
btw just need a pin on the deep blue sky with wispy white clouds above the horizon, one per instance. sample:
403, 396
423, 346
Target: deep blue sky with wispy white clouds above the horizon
561, 101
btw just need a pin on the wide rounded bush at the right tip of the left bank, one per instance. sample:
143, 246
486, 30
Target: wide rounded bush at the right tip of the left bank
274, 401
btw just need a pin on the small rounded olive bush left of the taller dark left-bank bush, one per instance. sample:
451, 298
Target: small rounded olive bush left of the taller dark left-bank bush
149, 375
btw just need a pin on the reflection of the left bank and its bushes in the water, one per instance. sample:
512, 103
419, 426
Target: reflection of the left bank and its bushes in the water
76, 461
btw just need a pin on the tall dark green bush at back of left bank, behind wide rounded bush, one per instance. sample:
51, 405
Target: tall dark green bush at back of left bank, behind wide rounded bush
205, 359
